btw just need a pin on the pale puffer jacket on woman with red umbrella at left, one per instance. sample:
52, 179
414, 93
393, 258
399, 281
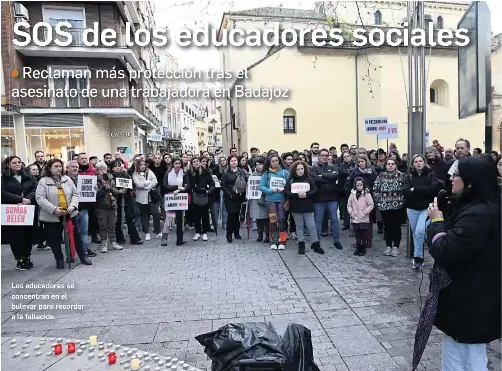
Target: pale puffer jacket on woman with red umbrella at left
47, 198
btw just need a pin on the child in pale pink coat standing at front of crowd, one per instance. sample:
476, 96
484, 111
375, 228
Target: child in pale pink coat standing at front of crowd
359, 206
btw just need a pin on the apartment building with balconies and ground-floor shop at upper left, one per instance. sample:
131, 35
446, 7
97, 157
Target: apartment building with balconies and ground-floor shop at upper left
64, 126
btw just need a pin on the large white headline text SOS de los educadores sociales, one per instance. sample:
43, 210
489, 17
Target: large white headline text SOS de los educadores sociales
208, 36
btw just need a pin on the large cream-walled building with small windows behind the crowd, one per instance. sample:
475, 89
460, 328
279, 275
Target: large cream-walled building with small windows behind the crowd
333, 89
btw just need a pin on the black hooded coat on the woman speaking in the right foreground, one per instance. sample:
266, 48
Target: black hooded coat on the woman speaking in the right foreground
469, 309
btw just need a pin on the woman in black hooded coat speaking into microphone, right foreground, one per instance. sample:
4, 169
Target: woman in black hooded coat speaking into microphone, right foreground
466, 248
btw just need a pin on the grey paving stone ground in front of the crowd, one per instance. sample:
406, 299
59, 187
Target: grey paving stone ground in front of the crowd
362, 311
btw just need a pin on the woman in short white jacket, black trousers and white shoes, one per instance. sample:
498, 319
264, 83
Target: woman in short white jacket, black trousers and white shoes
144, 181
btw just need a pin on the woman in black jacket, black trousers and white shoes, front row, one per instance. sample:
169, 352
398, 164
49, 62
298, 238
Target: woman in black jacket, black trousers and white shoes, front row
200, 186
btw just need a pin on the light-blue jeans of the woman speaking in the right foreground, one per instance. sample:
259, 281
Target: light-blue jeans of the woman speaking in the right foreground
463, 357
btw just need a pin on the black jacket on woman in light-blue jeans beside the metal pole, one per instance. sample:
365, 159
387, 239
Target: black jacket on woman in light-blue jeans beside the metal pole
425, 188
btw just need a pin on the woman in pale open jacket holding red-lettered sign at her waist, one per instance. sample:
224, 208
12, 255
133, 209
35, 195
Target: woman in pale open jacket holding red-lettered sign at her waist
174, 183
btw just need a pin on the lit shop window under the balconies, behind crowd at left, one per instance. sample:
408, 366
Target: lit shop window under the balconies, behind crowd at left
60, 143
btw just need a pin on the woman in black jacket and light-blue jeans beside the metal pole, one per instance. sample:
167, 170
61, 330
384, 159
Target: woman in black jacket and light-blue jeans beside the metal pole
420, 187
